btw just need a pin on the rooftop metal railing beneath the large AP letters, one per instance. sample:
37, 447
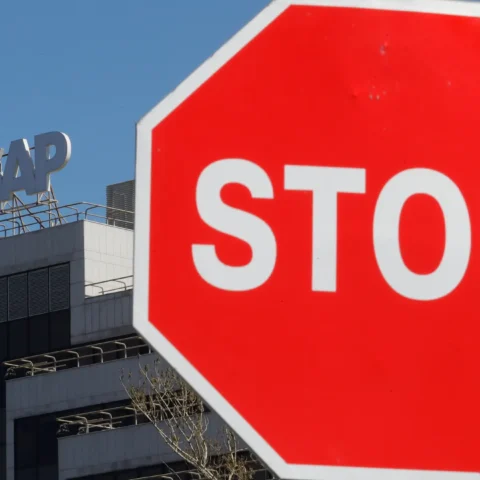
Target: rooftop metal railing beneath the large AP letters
47, 216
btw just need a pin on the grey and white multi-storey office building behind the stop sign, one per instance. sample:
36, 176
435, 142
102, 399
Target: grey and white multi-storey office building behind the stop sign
66, 337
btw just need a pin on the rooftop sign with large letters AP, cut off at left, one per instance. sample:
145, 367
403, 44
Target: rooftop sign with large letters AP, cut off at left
19, 173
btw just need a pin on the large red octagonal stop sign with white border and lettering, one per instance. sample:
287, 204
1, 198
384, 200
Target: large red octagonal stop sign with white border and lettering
306, 250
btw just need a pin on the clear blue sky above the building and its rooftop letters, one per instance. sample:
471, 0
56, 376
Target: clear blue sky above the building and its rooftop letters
93, 68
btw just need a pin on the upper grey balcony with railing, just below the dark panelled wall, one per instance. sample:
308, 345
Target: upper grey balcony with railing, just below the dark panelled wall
73, 378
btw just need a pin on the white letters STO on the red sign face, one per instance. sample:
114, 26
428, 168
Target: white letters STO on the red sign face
326, 183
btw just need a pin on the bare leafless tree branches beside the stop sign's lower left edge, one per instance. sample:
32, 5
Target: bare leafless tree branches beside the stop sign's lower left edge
182, 420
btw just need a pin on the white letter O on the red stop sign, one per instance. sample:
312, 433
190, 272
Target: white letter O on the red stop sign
386, 222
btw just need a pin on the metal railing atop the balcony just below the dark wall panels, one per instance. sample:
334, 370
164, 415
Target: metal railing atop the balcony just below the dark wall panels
75, 357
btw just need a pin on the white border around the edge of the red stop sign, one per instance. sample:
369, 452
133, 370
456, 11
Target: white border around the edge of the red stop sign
142, 234
